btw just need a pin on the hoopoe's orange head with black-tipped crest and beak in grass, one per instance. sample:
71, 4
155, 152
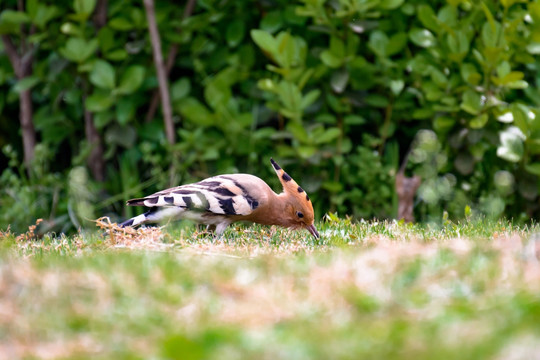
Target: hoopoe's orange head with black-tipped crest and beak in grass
299, 209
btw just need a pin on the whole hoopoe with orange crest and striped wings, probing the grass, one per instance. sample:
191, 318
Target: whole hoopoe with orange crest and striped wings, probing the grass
221, 200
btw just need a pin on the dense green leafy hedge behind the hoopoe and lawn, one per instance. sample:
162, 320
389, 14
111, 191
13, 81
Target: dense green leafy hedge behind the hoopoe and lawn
339, 92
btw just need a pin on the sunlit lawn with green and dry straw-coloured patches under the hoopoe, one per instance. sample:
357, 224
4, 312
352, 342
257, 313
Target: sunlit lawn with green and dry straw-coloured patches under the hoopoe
369, 290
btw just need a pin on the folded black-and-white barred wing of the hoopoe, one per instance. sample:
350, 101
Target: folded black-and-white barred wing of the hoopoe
223, 195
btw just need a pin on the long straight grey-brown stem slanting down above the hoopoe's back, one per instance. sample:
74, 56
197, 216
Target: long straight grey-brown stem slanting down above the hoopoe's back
160, 70
